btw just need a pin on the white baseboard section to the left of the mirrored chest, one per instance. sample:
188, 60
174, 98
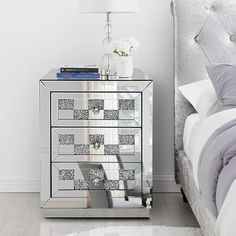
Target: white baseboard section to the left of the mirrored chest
20, 184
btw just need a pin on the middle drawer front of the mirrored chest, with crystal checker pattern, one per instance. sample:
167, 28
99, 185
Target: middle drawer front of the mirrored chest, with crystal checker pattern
96, 144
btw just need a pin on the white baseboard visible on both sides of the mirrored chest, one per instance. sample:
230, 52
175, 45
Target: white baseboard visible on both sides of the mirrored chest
161, 183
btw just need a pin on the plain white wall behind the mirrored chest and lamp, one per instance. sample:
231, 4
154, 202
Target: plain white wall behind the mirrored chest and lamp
36, 36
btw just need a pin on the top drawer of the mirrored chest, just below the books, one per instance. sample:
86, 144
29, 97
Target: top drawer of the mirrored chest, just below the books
96, 109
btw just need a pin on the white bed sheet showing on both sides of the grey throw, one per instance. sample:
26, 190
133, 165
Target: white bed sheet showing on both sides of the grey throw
196, 134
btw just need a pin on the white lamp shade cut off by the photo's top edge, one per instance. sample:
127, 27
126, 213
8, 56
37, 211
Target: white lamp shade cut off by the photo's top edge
104, 6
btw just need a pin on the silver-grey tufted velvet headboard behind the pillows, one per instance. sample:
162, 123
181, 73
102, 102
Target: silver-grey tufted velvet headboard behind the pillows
204, 33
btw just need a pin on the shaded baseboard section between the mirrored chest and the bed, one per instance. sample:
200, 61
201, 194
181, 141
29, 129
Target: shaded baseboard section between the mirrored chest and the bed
165, 184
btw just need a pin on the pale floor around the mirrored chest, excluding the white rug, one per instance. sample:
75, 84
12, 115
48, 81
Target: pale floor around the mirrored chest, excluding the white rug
20, 216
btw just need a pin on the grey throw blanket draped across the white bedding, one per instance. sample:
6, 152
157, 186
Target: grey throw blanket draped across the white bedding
217, 166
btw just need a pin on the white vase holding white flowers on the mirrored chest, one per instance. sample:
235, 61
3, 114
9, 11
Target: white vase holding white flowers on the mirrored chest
124, 66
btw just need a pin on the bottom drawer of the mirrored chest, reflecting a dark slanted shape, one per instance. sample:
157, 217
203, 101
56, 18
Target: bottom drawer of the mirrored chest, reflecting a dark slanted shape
97, 185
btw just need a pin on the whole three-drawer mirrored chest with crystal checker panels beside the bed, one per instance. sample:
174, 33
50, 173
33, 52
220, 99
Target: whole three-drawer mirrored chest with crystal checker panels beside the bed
96, 147
